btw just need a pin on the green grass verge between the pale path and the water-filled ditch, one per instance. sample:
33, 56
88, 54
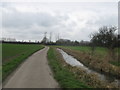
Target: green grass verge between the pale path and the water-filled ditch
65, 78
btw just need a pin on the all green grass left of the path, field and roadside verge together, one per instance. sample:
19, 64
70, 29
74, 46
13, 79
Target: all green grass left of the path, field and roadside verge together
14, 54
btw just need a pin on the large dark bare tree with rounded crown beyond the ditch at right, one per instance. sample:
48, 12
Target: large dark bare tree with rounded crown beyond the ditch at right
105, 37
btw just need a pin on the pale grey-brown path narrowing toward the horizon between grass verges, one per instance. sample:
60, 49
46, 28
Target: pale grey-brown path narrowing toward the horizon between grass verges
33, 73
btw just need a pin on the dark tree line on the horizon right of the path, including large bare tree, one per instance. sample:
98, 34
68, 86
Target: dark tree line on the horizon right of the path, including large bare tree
105, 37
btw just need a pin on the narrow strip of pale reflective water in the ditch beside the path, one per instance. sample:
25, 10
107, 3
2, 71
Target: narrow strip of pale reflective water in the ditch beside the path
74, 62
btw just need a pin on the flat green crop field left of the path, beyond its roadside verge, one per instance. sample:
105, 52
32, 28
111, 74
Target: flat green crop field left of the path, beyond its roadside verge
11, 51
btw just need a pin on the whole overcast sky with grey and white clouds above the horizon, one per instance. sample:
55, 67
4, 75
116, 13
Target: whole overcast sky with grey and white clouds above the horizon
71, 20
